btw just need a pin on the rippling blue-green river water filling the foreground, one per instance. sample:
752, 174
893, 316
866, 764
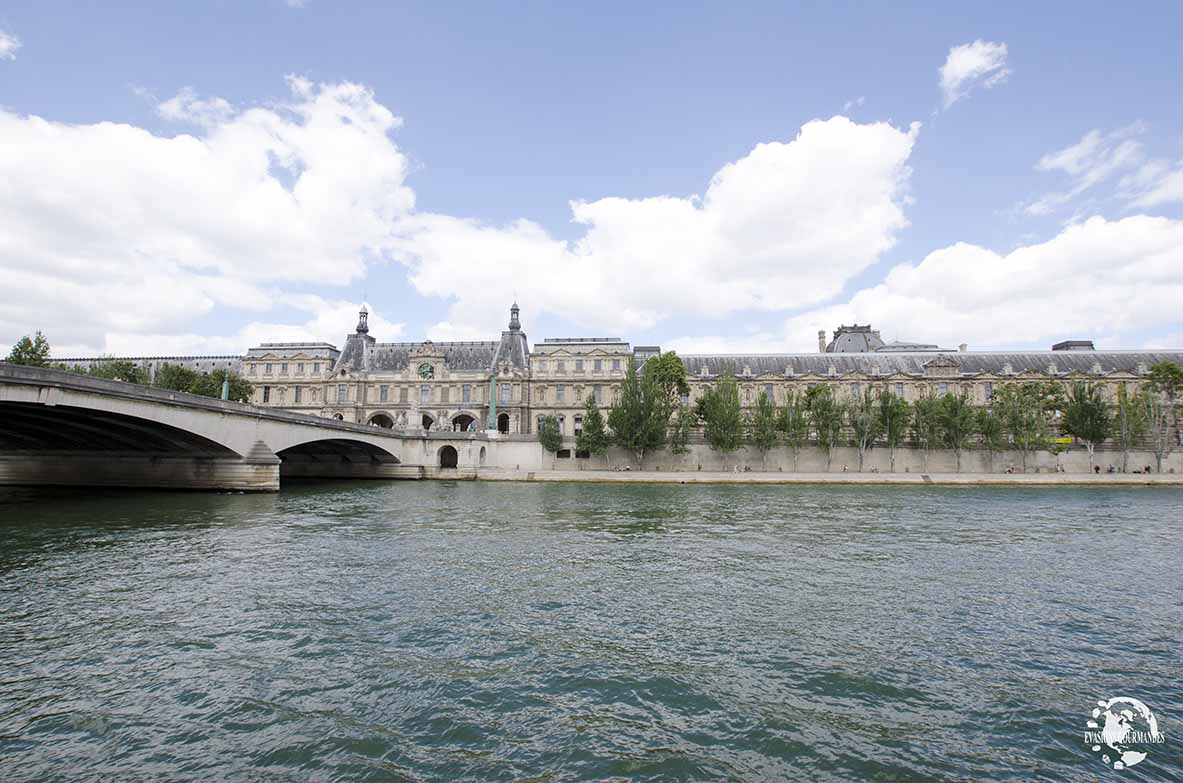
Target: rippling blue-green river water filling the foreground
544, 632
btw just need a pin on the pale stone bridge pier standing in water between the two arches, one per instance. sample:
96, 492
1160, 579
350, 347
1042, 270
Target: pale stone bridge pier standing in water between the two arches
150, 471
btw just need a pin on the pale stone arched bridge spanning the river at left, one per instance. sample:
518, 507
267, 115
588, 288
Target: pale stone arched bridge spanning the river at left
64, 429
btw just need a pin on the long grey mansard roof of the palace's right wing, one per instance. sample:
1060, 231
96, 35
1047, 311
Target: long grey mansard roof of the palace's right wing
914, 363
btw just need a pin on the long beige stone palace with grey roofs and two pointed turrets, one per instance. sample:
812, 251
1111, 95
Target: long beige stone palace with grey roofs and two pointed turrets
507, 386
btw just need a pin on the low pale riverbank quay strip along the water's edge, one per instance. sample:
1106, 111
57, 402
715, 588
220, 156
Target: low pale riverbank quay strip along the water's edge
721, 477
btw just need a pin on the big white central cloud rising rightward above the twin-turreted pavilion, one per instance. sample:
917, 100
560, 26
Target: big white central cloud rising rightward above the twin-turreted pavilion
784, 228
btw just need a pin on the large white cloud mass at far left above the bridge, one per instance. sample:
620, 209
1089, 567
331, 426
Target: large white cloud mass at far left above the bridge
109, 230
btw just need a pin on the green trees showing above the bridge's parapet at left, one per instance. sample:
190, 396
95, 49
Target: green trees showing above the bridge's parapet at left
35, 352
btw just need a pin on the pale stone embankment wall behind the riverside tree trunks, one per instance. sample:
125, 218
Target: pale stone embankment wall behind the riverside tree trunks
529, 456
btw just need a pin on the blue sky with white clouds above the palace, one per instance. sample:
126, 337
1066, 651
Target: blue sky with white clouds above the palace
202, 177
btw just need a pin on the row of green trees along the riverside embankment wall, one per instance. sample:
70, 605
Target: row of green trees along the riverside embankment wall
650, 415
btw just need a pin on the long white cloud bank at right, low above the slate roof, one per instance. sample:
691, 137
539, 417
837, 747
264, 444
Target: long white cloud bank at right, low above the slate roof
1097, 279
